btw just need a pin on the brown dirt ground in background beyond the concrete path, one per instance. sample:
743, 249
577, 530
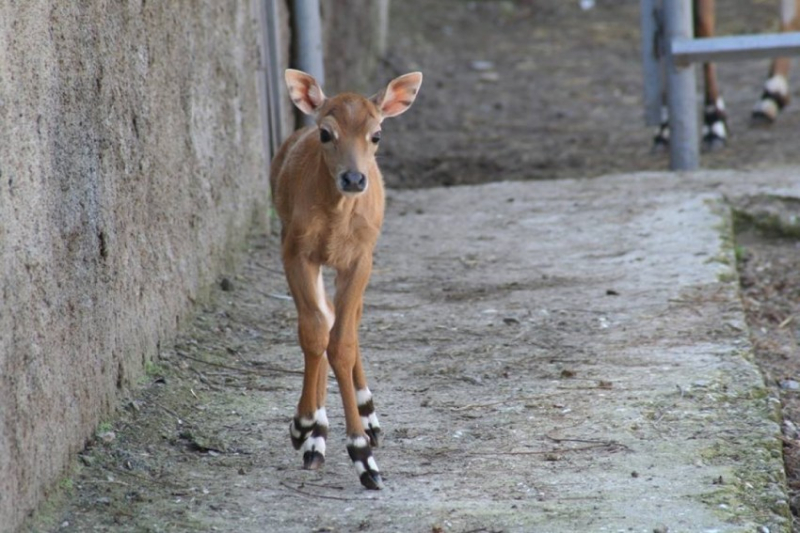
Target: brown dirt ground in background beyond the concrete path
540, 89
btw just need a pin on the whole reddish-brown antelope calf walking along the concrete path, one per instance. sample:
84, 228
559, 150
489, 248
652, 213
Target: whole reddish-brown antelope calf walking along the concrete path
328, 192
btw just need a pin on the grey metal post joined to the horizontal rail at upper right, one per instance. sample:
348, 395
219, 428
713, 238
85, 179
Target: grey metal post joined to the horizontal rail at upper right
684, 143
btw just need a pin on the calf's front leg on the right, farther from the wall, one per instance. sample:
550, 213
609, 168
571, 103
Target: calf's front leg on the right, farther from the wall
345, 359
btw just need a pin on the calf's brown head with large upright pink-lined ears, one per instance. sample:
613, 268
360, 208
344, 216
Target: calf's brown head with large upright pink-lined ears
350, 124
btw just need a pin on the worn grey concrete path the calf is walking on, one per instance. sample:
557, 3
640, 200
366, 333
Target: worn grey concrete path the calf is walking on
542, 356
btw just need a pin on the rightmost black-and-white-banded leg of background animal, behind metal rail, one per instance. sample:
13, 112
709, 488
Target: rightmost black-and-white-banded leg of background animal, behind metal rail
775, 95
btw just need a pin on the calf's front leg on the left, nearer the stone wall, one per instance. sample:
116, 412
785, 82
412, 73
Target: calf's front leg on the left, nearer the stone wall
309, 428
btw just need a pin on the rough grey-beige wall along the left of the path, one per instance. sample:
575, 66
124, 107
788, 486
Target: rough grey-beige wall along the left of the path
130, 169
